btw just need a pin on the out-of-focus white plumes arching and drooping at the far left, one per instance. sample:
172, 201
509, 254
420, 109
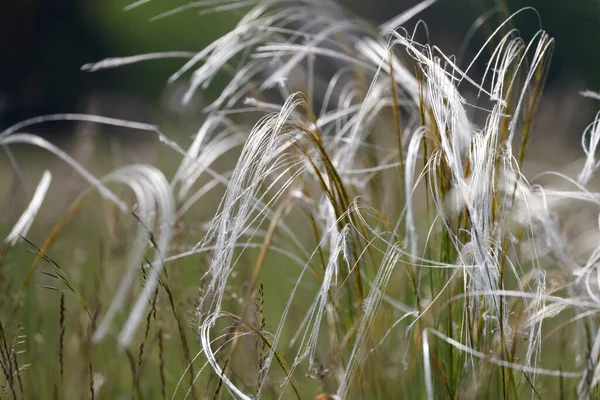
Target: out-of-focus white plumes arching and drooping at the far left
154, 195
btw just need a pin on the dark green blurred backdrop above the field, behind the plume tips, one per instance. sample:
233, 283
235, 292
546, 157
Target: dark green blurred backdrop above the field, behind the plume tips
45, 43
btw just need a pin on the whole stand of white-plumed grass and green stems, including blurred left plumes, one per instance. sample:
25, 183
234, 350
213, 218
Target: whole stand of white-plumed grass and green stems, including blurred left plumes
375, 236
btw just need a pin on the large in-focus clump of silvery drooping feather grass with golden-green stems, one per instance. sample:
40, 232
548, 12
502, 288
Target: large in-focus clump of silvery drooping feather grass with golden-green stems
334, 144
